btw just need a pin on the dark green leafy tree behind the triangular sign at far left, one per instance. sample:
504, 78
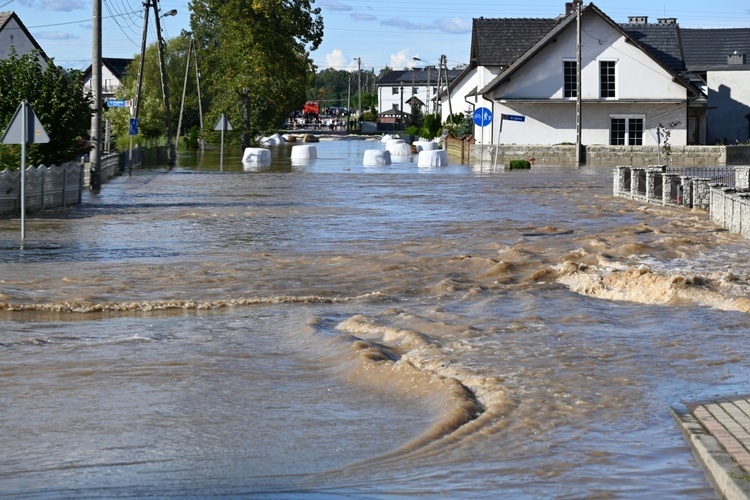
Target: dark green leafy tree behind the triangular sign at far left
57, 99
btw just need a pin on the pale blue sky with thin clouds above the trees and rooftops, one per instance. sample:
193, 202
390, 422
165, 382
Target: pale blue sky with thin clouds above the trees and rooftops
379, 33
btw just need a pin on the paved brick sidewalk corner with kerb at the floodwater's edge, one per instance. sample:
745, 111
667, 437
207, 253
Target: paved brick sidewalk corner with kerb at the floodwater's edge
719, 433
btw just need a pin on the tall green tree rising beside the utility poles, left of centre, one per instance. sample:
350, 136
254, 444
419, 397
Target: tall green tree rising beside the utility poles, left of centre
260, 64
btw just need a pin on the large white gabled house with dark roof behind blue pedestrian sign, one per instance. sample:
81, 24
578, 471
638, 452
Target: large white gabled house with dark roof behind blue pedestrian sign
633, 81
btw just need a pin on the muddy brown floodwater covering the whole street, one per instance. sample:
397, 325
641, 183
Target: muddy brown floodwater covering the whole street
325, 329
